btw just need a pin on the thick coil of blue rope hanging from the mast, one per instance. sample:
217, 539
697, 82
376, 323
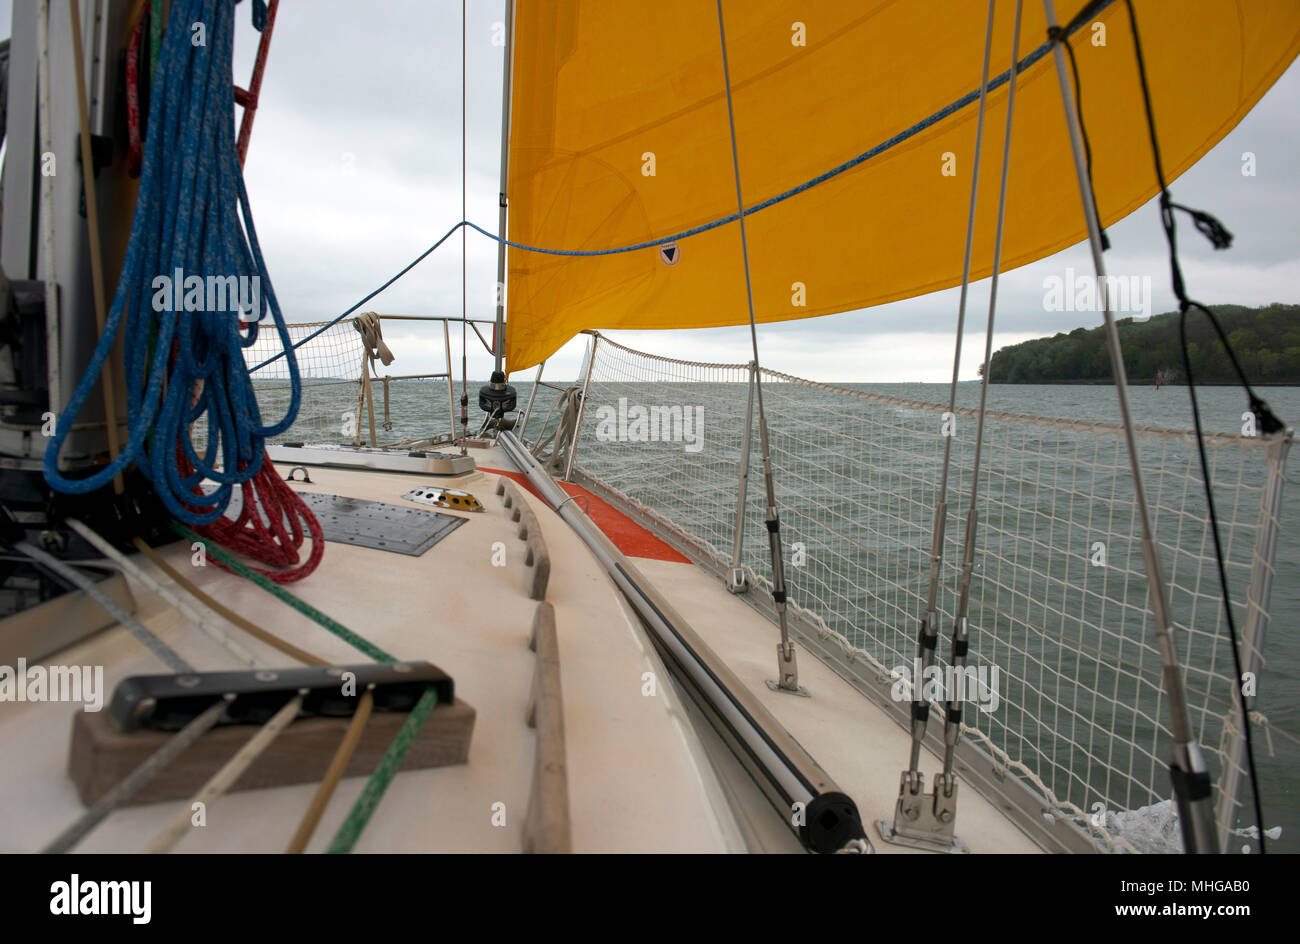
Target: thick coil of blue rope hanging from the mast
188, 220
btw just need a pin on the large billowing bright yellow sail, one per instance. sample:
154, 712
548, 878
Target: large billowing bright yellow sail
619, 136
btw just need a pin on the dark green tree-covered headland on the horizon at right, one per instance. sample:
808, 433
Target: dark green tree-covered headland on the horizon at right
1267, 343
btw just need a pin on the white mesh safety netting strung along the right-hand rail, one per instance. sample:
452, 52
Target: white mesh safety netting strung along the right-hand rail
1059, 603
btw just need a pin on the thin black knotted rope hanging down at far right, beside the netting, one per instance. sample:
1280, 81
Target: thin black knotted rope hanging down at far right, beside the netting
1267, 422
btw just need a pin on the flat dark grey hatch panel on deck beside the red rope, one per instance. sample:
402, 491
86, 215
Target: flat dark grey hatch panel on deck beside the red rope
378, 525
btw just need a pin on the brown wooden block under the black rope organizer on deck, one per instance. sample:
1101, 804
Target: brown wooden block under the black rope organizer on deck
102, 756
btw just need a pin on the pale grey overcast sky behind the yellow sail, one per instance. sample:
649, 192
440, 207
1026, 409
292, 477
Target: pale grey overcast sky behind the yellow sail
356, 168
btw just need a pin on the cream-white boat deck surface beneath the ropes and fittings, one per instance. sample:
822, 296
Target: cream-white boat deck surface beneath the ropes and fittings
640, 780
